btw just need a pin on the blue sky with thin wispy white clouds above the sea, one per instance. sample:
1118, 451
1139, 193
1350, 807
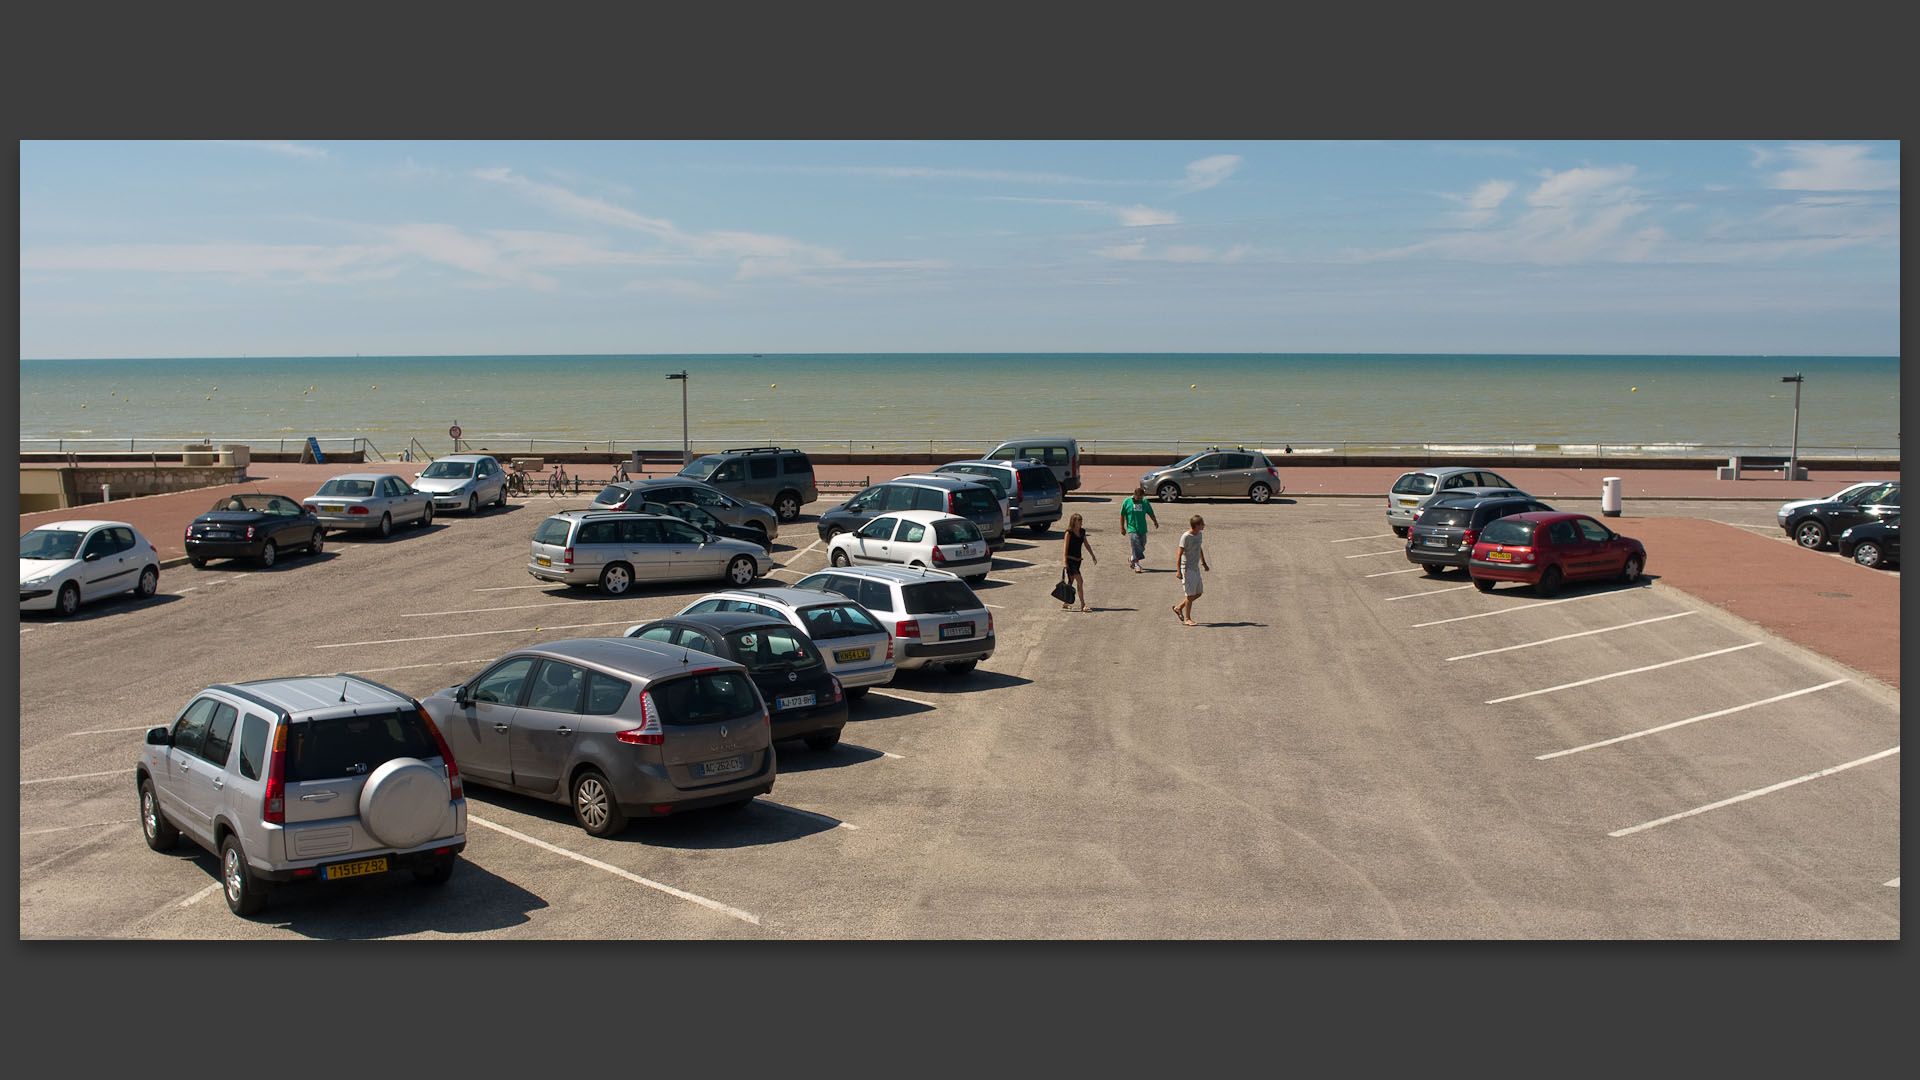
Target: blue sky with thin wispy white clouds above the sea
456, 249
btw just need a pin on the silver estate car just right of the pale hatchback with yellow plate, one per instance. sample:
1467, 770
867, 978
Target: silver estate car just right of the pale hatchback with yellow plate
934, 616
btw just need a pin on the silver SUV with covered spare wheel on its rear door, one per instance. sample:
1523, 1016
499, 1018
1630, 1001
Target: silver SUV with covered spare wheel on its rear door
308, 779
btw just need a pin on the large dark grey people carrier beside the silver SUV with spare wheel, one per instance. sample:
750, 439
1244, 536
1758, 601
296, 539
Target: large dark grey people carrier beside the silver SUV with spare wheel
612, 727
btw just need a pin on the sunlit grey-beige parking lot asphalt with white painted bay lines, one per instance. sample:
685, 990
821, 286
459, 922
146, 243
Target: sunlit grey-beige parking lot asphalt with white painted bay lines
1343, 749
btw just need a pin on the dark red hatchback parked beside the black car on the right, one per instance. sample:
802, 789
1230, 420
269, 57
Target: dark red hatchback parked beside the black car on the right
1543, 551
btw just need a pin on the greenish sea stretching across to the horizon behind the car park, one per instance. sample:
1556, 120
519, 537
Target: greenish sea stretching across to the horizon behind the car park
967, 403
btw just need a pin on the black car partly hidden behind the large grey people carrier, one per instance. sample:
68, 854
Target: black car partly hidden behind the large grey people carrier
802, 695
